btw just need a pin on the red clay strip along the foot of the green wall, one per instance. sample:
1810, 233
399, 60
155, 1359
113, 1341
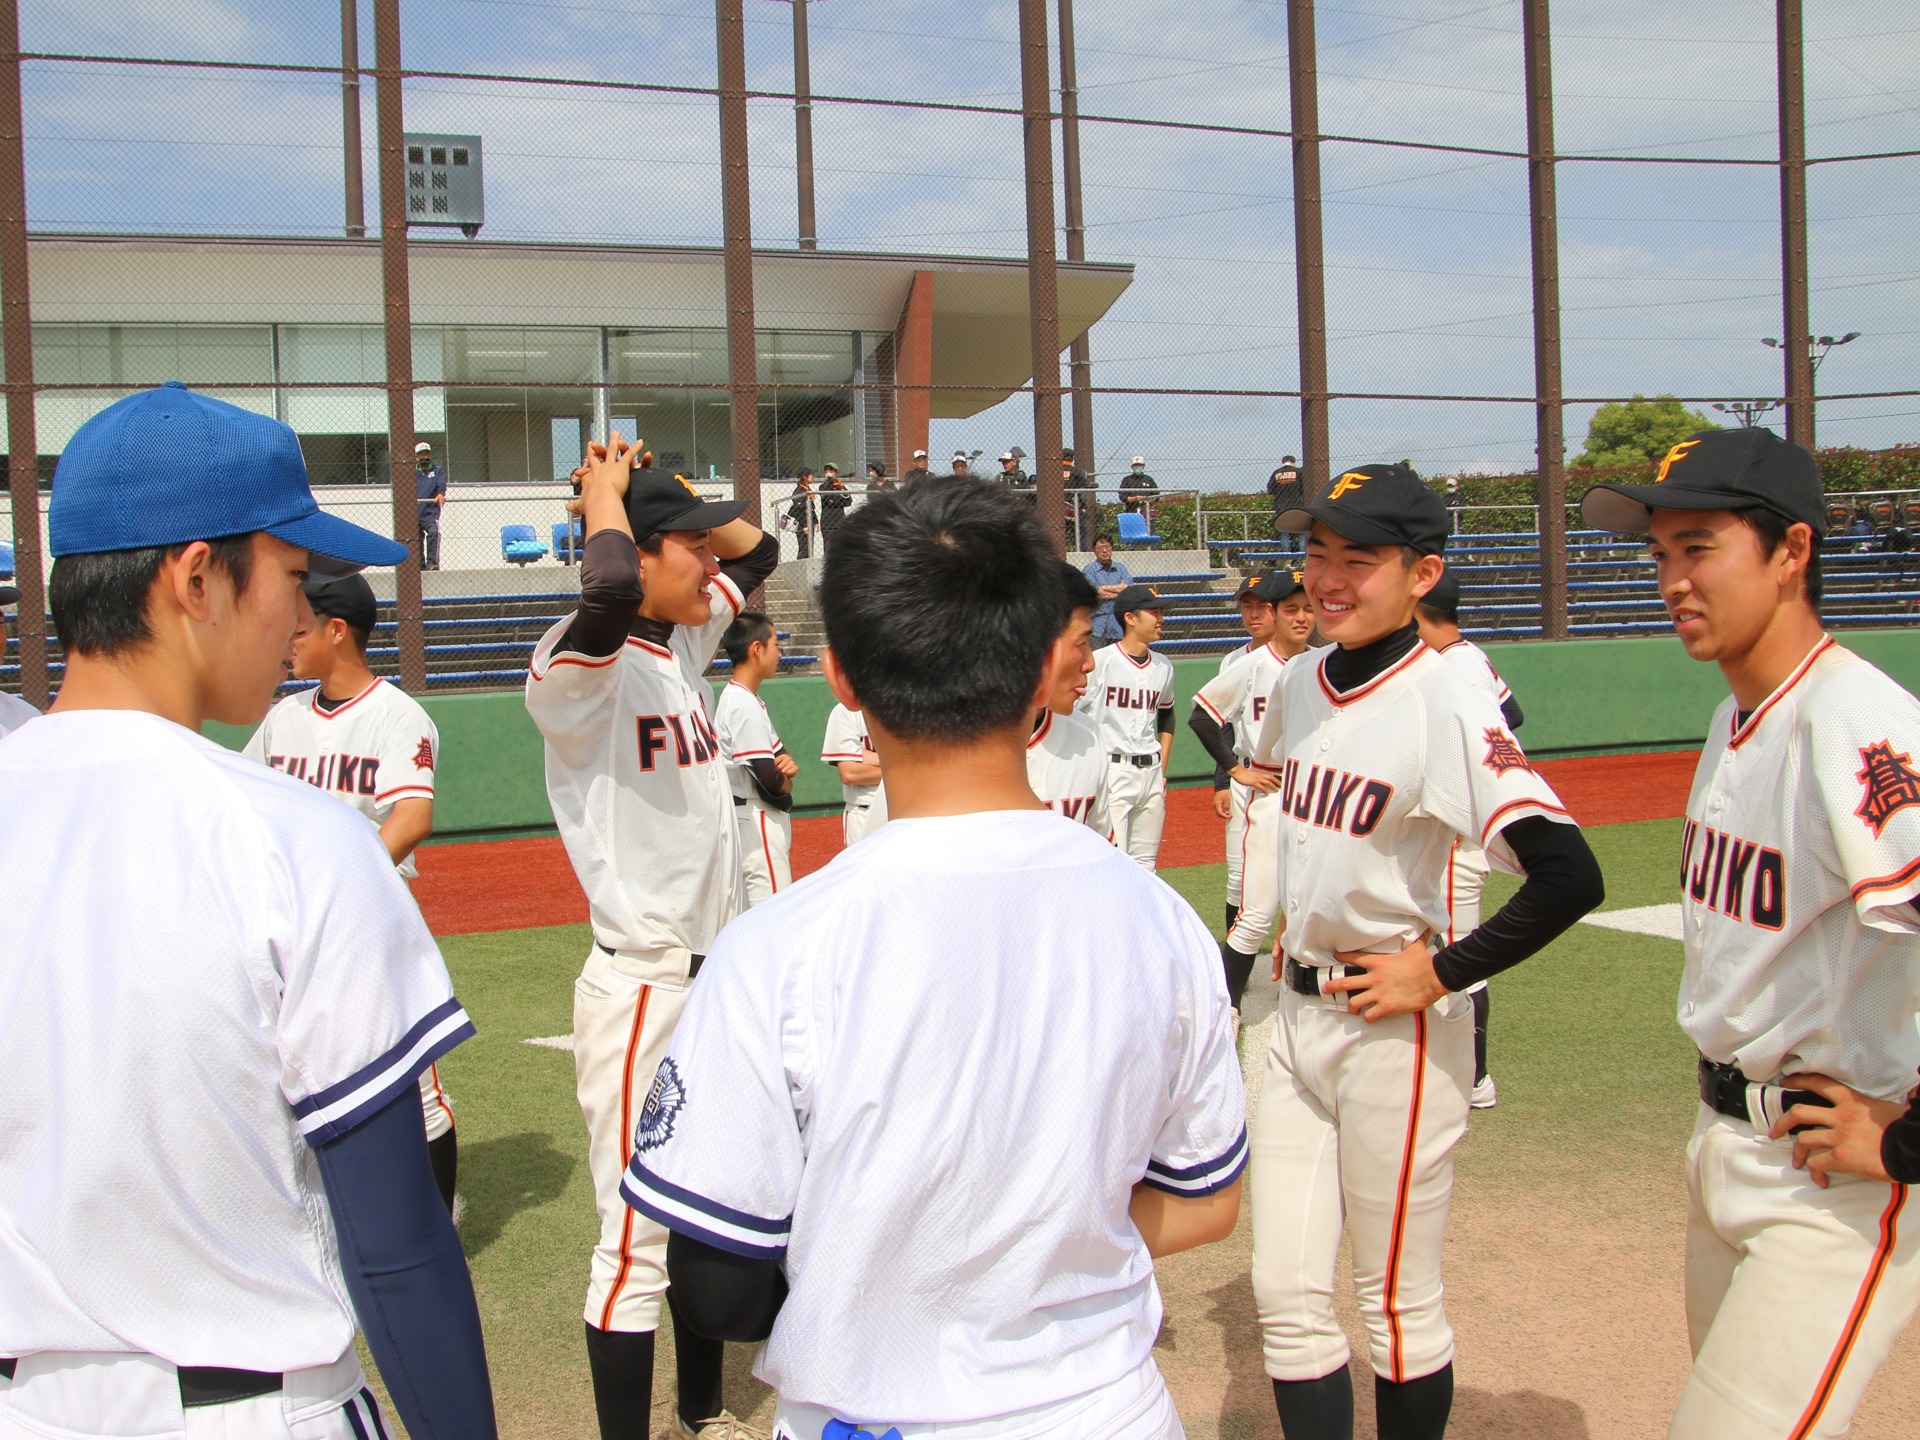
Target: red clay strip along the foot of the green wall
466, 890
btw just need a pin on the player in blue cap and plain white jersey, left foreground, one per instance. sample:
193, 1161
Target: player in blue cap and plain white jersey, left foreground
216, 992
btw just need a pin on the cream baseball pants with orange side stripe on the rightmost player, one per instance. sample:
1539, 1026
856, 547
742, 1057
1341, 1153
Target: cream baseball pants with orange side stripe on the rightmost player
1794, 1295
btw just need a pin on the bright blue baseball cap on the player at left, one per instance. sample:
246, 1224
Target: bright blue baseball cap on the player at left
168, 468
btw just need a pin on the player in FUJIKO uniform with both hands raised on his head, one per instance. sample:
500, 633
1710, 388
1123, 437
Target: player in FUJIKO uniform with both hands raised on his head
646, 809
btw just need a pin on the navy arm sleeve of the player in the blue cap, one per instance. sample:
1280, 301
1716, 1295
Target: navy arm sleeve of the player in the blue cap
406, 1274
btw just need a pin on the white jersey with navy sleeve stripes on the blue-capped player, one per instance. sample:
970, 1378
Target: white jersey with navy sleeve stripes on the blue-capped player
191, 996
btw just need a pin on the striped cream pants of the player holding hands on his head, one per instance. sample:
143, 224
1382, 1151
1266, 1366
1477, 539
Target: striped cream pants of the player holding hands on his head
625, 1015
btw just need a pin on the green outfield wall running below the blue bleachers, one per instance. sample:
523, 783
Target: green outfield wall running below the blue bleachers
1581, 698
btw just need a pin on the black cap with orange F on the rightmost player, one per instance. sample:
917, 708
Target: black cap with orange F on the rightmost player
1717, 471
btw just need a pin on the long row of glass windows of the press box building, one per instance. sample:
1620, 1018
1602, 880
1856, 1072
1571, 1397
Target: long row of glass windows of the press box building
500, 404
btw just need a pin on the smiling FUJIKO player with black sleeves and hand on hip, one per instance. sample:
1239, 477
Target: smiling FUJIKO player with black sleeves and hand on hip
1385, 759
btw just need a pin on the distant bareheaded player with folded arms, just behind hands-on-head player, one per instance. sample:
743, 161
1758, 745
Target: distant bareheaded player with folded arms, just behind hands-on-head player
757, 763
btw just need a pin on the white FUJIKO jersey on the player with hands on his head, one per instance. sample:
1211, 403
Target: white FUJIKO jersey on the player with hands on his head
638, 786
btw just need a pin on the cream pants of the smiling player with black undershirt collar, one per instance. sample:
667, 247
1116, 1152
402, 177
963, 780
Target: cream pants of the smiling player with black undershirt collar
1356, 1126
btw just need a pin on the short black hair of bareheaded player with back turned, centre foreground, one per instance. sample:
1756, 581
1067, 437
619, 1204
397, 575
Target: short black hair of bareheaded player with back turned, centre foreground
942, 604
